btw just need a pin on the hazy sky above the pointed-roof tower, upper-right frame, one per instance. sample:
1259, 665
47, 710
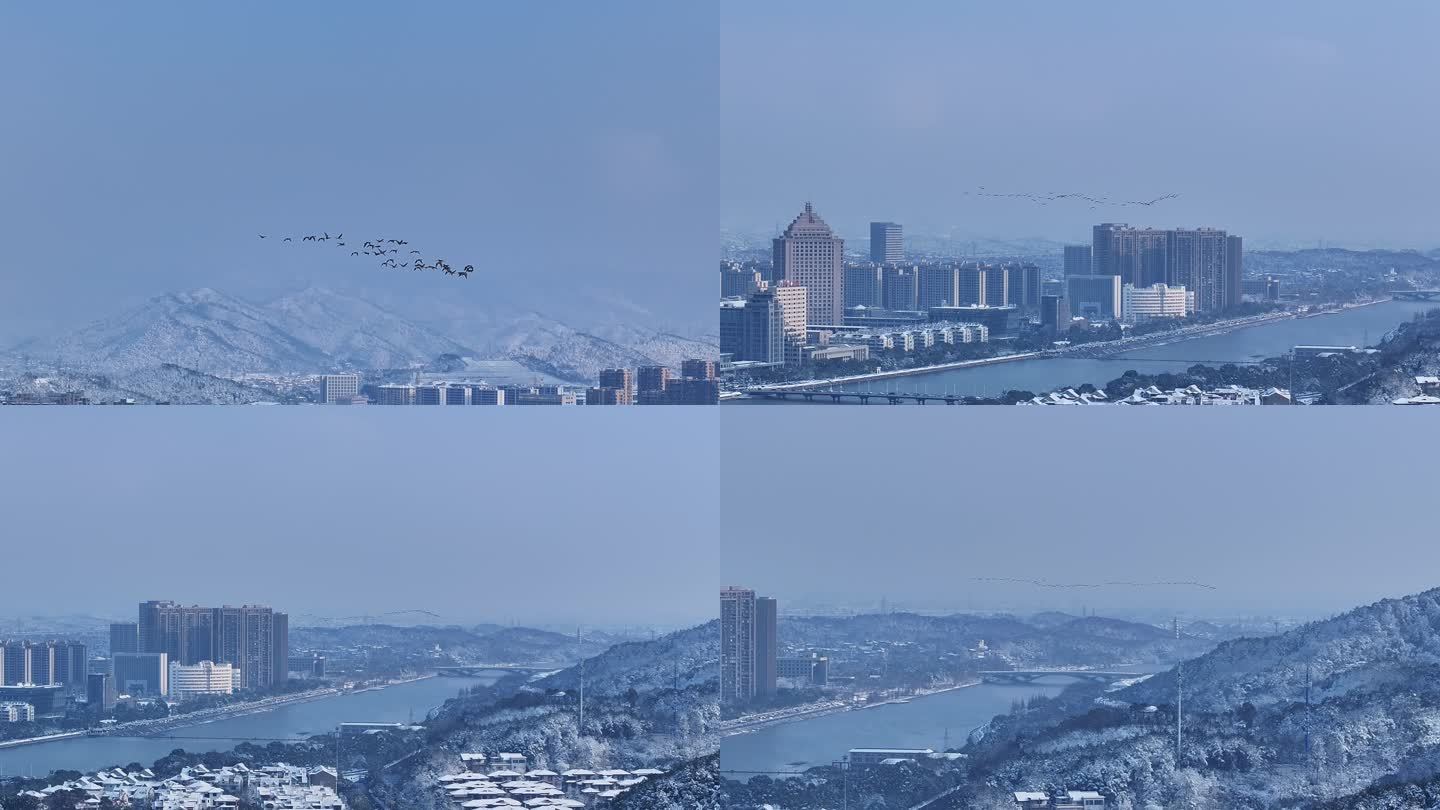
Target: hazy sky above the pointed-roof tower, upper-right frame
1282, 122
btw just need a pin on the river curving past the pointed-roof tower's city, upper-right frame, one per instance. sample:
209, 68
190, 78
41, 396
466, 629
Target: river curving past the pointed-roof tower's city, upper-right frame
1360, 326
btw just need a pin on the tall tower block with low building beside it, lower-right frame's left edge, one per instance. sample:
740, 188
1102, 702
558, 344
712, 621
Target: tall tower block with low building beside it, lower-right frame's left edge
751, 665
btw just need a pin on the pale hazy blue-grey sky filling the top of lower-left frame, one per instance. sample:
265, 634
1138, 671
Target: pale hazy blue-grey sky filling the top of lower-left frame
593, 518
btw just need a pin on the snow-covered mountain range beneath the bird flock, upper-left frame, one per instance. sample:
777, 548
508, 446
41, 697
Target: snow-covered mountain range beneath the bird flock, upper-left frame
197, 347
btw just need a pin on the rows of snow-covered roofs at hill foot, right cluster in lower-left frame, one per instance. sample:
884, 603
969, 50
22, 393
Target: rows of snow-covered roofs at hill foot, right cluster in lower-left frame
510, 785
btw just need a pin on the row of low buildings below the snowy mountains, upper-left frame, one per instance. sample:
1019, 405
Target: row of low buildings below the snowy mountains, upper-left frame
647, 386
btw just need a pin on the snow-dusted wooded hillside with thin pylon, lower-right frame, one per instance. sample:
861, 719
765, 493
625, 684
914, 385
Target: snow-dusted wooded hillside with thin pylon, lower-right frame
1331, 710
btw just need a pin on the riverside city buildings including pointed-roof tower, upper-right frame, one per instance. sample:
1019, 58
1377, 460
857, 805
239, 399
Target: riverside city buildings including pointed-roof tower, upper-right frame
811, 305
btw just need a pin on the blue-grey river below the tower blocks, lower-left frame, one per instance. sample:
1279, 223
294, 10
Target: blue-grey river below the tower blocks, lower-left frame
392, 704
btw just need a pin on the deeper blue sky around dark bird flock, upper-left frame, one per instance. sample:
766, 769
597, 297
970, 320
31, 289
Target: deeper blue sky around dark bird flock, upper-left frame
565, 149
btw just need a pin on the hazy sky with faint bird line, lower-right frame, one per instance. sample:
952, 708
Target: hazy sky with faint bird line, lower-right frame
1285, 511
